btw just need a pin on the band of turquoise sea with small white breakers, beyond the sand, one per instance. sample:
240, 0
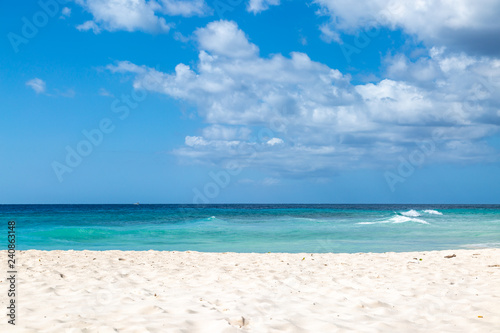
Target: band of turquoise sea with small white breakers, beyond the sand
254, 228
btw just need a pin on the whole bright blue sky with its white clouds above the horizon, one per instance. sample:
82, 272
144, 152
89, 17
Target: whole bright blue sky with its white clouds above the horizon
249, 101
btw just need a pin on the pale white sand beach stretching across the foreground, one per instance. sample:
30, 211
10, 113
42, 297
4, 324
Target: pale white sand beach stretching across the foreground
73, 291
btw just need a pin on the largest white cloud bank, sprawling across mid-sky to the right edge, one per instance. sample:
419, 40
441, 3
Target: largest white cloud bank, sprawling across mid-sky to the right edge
294, 116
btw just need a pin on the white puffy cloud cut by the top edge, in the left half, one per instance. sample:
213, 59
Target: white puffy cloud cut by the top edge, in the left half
137, 15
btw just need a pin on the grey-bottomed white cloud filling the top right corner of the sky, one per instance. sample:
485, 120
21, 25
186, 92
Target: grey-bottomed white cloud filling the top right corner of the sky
461, 25
